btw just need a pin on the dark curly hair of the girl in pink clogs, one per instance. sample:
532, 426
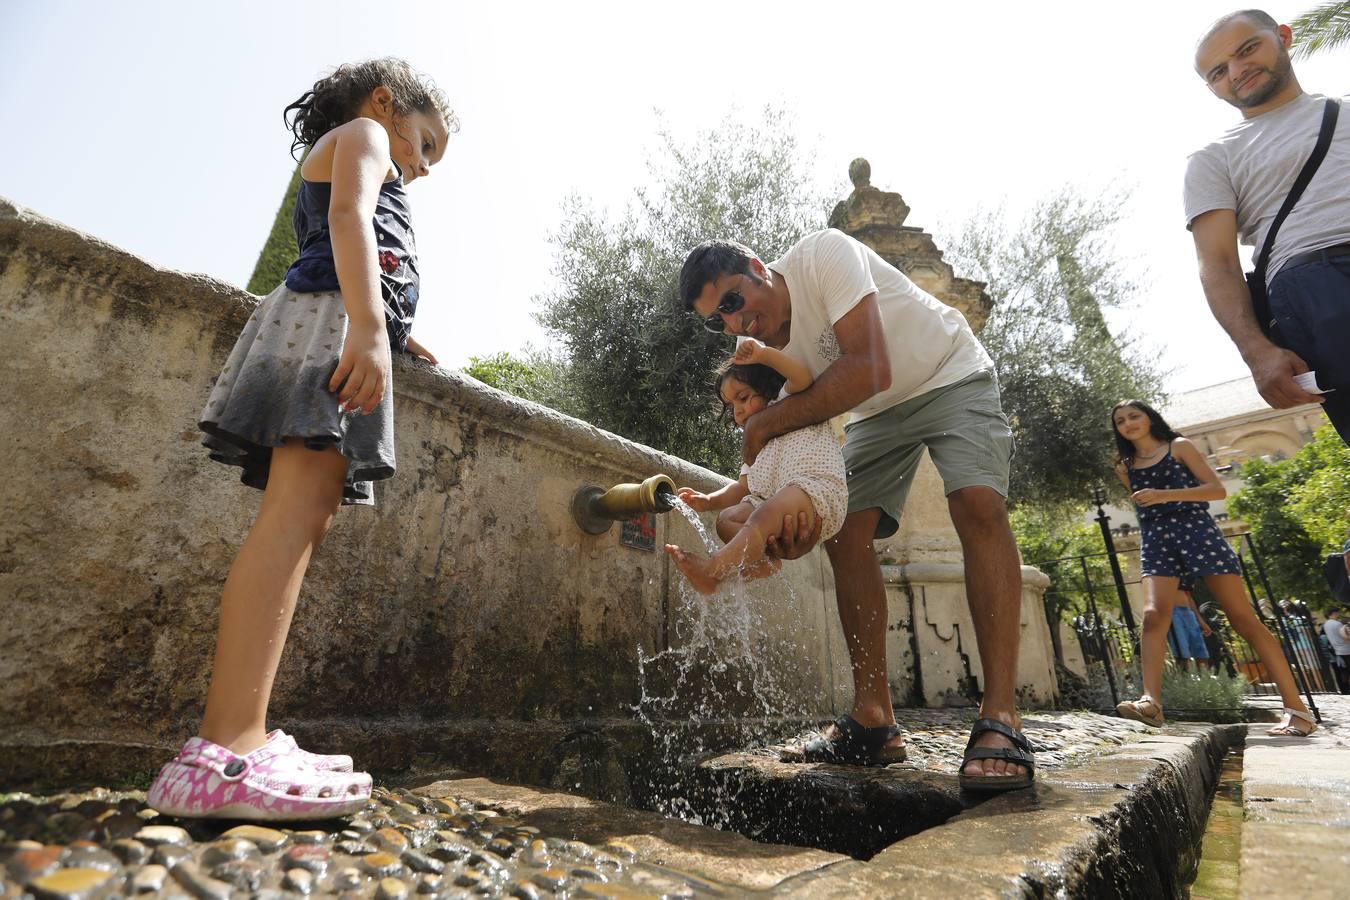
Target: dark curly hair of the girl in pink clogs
337, 99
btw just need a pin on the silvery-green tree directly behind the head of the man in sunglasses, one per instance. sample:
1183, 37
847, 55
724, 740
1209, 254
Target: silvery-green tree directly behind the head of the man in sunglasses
635, 362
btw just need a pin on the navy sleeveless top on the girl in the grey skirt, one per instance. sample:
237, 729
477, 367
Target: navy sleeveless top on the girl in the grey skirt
317, 272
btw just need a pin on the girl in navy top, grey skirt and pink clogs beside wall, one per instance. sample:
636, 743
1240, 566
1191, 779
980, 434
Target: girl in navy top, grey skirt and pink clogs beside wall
304, 405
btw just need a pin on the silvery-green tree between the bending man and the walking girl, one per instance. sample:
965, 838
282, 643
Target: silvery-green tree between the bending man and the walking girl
1060, 366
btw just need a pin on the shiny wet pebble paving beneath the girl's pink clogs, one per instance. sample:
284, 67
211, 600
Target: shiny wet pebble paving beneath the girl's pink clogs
106, 844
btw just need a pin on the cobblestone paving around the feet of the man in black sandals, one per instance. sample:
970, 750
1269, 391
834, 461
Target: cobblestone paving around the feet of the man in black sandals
935, 740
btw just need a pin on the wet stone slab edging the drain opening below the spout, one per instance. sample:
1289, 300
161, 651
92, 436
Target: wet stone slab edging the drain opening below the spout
1123, 824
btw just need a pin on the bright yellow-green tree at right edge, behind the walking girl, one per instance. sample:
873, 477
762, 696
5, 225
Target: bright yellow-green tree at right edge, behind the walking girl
1297, 511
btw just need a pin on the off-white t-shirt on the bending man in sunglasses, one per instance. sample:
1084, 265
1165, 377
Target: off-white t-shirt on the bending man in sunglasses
929, 343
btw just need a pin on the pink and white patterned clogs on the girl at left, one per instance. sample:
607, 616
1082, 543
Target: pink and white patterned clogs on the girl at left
210, 782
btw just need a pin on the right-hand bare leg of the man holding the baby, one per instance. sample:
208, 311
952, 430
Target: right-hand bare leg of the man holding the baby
994, 592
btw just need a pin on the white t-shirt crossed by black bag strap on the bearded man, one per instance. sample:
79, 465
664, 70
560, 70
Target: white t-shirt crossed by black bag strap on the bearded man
1252, 168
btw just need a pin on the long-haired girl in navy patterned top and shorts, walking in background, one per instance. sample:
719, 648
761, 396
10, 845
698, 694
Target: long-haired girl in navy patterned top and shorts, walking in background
1171, 485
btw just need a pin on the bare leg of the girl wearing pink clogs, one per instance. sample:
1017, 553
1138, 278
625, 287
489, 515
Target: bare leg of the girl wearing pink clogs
304, 492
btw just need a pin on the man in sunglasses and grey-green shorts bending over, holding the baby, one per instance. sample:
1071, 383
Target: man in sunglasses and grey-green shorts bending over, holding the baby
912, 374
